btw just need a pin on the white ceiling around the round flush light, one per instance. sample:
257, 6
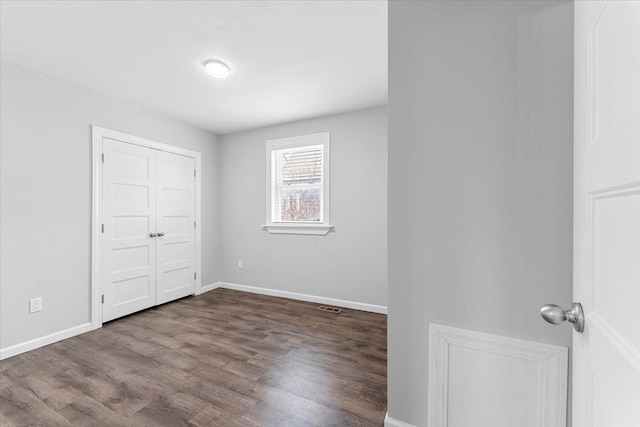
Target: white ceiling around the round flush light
289, 60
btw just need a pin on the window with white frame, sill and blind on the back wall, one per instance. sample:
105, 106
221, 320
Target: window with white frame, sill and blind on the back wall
298, 185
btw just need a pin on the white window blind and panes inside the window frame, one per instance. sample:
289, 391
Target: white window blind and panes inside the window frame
297, 184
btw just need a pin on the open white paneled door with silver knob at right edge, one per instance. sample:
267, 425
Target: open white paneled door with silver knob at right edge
606, 357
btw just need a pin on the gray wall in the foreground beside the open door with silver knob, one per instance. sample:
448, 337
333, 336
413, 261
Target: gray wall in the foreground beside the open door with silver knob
480, 177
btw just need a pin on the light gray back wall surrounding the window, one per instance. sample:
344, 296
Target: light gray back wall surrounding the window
348, 264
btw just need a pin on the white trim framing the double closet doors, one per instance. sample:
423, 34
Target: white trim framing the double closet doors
97, 134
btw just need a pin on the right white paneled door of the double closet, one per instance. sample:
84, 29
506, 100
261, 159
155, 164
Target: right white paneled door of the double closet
175, 216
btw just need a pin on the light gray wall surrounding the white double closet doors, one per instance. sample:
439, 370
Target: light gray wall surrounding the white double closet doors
46, 196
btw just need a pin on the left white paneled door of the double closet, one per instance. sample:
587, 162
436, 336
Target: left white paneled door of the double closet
129, 215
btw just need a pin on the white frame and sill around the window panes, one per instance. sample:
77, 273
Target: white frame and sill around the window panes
293, 227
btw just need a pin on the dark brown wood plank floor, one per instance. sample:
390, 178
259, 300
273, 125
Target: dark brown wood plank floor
224, 358
